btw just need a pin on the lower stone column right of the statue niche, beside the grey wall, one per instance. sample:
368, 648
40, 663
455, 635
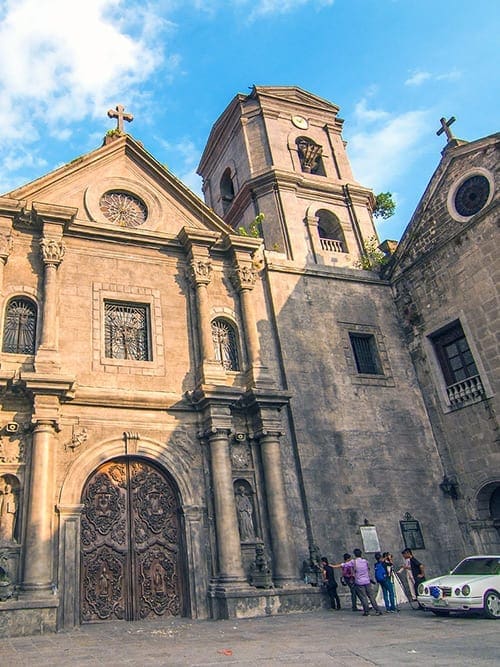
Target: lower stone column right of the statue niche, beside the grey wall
279, 524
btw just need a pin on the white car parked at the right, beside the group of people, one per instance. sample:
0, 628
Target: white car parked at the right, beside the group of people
474, 585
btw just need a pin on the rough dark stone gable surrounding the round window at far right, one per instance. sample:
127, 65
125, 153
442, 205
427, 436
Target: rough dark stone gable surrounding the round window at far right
435, 220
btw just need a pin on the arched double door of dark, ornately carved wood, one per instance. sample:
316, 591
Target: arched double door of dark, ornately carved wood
129, 543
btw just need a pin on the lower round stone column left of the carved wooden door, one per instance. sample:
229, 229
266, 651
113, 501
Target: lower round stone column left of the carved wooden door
38, 550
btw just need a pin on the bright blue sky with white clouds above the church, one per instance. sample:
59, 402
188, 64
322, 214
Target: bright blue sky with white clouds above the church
394, 67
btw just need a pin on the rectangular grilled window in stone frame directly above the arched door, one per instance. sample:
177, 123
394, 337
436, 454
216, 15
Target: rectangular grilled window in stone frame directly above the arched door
127, 331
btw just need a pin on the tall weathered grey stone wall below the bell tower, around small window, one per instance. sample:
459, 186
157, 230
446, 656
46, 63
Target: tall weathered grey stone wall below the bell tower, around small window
365, 447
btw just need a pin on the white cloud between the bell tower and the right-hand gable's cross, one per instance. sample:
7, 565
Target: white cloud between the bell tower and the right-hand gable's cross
382, 155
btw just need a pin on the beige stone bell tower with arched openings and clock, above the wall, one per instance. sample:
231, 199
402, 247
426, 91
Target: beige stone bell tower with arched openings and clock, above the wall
279, 152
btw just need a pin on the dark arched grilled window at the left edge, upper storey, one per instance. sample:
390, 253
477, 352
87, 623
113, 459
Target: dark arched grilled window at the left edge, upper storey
19, 332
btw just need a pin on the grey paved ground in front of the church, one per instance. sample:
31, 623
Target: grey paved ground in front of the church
317, 638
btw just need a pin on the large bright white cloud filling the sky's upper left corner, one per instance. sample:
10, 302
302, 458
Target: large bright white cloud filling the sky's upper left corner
62, 60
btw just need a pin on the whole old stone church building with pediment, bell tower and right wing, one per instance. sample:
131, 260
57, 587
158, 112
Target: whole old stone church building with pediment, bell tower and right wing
198, 399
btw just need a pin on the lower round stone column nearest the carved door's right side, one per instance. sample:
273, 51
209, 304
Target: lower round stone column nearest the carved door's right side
226, 521
